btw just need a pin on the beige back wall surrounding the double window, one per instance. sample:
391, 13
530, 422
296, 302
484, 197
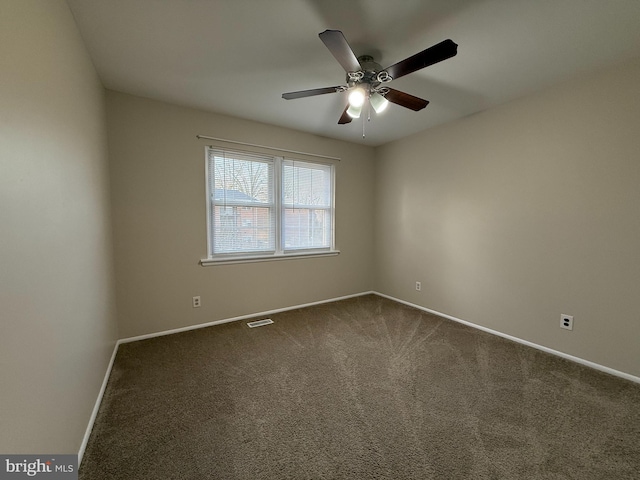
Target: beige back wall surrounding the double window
158, 191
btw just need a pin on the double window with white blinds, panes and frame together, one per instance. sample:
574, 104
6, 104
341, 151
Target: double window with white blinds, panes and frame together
262, 206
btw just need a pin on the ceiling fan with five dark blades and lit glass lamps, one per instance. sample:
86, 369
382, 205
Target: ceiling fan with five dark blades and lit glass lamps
366, 80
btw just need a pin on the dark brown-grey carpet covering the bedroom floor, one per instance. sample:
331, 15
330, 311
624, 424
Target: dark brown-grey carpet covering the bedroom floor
364, 388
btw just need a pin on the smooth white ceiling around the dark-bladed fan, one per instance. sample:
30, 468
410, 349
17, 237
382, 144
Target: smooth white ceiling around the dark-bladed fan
237, 57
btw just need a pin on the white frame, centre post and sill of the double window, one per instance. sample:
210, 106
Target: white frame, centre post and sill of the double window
279, 252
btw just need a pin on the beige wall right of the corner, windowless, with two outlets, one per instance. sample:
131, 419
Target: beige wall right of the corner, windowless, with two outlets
516, 215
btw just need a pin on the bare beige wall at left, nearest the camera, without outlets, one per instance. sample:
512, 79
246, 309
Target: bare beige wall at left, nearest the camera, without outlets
57, 307
